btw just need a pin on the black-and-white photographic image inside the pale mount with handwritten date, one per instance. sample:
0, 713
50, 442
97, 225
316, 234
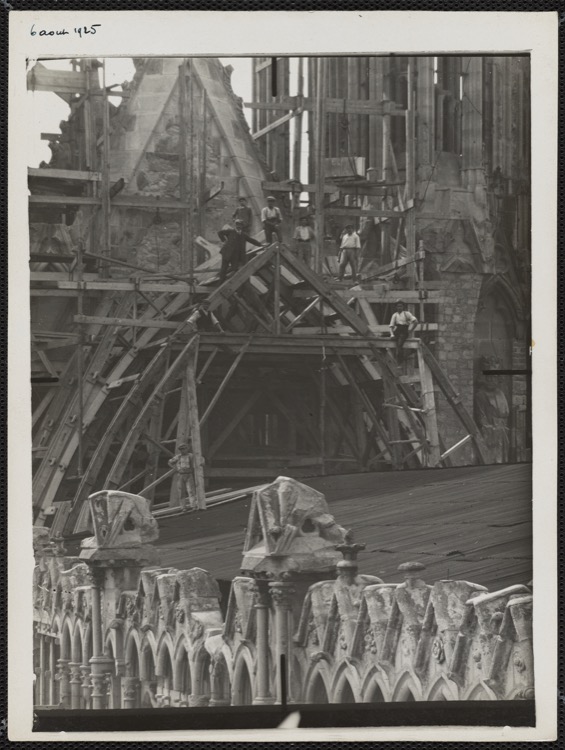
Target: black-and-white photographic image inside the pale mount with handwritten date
280, 378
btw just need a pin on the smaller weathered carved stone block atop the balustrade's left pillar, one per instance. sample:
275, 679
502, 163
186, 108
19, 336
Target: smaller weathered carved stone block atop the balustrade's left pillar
121, 522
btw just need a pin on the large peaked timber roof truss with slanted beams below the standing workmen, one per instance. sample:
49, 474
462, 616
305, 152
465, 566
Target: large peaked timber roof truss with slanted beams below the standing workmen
273, 371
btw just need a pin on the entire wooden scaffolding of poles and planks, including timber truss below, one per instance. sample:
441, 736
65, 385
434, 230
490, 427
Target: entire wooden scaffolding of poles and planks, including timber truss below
277, 370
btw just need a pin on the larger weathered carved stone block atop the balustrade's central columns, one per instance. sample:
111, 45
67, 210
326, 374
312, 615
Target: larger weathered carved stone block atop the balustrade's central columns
290, 530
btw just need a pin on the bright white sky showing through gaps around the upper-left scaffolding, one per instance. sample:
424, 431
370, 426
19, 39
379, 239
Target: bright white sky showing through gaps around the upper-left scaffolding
46, 109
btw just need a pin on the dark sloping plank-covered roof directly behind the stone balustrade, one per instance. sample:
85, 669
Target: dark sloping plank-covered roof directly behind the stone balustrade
470, 523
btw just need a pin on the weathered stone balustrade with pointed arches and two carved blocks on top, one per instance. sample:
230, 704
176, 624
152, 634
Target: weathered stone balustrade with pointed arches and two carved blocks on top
112, 631
